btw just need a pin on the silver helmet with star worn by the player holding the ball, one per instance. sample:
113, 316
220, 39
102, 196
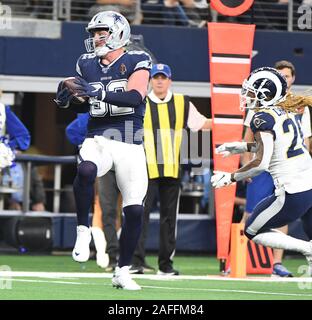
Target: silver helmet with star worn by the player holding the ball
118, 32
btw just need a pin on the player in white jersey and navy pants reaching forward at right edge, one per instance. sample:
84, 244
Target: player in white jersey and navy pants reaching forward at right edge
279, 148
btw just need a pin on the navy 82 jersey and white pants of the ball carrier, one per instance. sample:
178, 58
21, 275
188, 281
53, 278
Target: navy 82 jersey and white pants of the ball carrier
114, 136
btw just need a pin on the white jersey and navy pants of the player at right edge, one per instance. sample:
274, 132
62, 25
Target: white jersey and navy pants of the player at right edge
291, 169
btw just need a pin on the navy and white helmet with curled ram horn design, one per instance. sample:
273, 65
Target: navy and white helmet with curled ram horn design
264, 88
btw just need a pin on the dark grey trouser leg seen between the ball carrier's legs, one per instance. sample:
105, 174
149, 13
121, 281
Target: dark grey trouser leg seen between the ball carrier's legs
108, 194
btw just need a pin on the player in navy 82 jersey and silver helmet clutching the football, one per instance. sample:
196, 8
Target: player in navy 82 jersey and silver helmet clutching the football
113, 84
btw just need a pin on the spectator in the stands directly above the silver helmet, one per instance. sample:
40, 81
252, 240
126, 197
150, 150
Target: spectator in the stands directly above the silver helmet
128, 8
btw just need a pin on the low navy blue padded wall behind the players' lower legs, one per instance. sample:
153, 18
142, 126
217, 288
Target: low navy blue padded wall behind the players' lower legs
195, 234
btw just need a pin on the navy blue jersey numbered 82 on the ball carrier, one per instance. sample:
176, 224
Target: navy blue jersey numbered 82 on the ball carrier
119, 123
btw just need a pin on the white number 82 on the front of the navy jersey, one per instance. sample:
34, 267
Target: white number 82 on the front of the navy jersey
100, 109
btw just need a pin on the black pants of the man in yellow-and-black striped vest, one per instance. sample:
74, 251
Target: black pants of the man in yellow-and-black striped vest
169, 193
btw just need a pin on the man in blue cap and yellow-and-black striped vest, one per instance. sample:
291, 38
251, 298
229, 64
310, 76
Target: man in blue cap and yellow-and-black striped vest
164, 109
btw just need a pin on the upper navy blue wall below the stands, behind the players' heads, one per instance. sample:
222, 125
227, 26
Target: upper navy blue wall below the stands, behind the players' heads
184, 49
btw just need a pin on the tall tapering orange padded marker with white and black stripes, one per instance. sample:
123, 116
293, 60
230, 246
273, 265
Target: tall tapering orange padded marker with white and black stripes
230, 50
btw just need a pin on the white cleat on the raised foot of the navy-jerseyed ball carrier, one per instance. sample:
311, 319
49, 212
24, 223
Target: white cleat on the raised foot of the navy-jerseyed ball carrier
81, 251
